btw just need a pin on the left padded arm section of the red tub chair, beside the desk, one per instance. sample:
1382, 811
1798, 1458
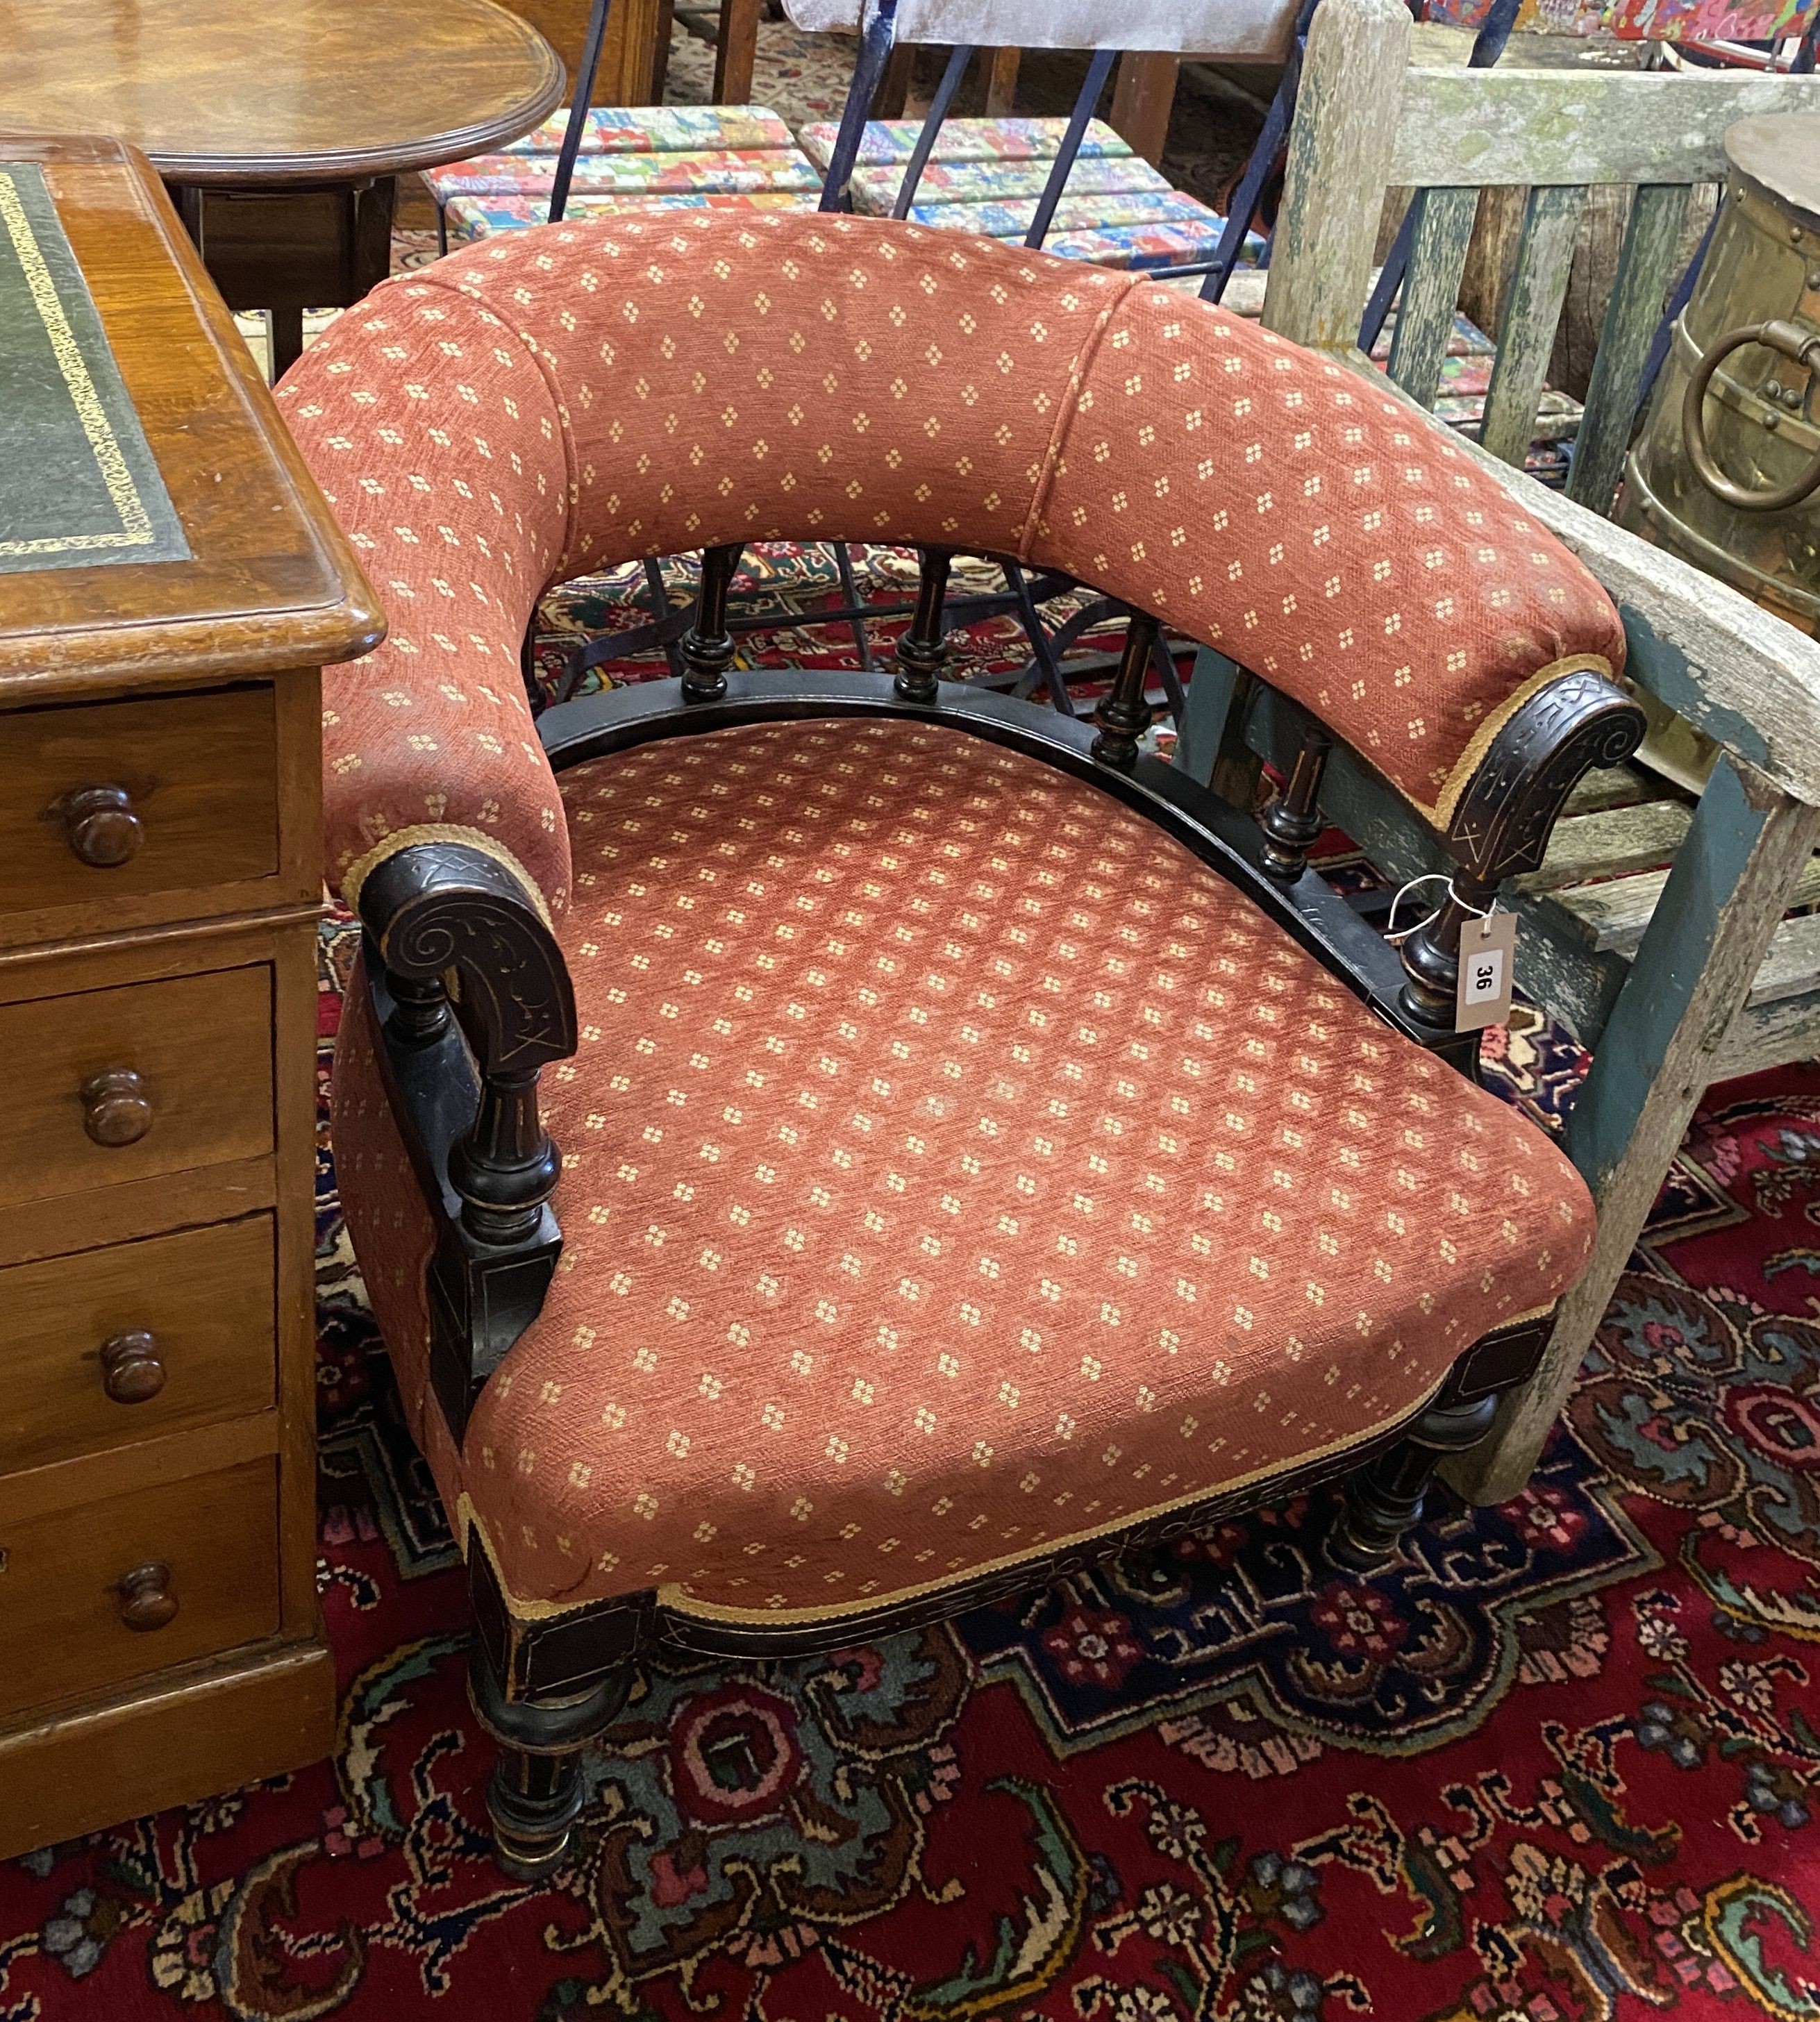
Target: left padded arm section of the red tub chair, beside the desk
458, 513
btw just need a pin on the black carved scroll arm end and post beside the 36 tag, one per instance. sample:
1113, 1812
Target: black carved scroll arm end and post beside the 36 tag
1508, 814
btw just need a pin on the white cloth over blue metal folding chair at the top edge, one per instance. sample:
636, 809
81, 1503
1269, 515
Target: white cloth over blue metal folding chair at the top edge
1259, 29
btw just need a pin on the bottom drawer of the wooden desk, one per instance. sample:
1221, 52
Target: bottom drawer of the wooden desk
116, 1590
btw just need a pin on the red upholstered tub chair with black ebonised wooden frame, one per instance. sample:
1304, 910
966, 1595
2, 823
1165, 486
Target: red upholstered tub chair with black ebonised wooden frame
976, 1145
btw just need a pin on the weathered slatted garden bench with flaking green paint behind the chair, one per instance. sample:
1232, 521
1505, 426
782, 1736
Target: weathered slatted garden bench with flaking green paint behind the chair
1673, 978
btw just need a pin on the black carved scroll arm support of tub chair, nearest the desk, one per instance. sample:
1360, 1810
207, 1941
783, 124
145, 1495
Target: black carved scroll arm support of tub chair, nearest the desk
474, 1004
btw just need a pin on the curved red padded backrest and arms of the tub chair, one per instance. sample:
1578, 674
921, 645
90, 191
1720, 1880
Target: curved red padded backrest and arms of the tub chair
575, 397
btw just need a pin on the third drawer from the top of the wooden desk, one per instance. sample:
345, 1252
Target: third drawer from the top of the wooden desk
118, 1346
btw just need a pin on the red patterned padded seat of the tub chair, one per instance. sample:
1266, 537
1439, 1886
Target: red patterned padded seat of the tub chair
953, 1166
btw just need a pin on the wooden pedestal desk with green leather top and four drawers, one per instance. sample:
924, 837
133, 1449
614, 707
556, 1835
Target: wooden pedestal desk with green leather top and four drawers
169, 585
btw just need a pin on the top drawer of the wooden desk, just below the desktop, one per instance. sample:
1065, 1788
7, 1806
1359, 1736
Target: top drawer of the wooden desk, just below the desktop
126, 800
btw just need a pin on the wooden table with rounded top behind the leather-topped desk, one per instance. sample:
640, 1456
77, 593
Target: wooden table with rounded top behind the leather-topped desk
282, 128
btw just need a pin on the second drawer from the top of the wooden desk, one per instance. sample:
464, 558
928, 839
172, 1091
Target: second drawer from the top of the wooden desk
134, 1083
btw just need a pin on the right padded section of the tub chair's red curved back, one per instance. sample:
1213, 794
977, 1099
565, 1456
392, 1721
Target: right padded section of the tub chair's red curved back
1317, 531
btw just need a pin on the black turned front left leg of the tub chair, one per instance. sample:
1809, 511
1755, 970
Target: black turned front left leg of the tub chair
537, 1790
